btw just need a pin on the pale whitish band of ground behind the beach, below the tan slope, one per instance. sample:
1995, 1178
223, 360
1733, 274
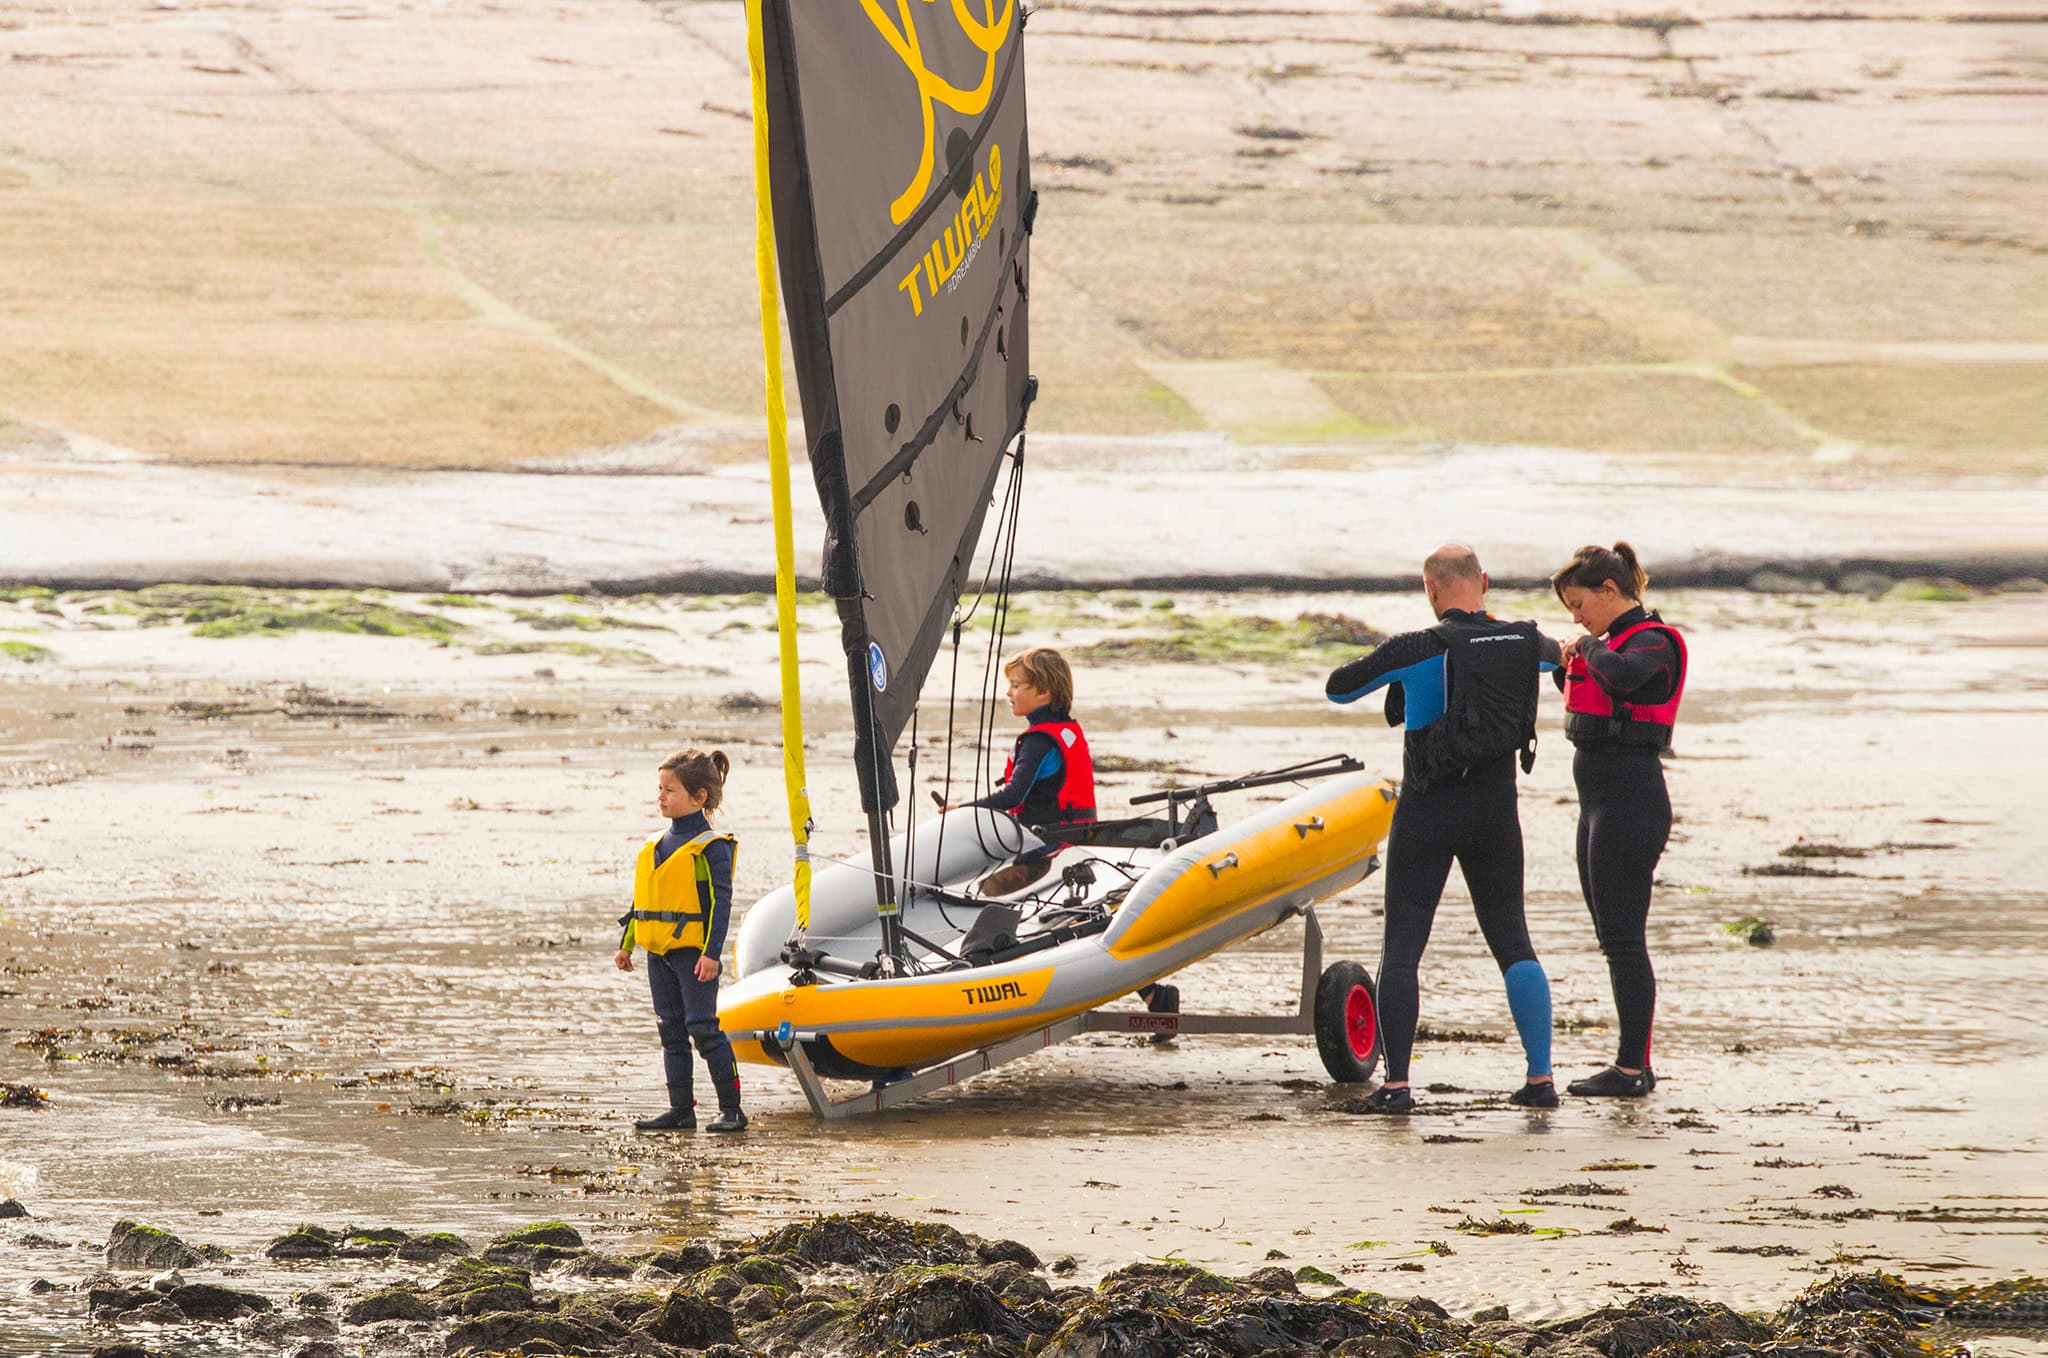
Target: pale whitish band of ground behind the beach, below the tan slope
1166, 511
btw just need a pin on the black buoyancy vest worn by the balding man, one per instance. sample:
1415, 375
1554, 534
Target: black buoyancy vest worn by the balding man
1490, 697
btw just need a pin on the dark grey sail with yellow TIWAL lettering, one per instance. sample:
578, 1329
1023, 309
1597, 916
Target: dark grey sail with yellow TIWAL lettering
902, 210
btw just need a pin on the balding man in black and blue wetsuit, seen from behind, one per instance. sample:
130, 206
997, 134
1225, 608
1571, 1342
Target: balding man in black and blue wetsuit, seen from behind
1467, 693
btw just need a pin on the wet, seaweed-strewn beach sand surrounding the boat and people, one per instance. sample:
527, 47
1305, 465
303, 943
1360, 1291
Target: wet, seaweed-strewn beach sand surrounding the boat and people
318, 929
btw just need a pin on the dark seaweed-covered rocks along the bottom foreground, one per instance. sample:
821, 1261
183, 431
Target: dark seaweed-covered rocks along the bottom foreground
880, 1285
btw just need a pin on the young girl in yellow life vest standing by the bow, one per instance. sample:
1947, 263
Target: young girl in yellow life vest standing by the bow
683, 900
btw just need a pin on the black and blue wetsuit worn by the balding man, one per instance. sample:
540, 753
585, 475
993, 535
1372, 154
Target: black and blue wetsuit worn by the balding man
1469, 818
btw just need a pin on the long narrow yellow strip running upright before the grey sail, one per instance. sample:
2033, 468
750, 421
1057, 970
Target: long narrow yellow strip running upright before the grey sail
785, 554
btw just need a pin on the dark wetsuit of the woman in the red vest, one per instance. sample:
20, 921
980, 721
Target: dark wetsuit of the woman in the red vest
1625, 822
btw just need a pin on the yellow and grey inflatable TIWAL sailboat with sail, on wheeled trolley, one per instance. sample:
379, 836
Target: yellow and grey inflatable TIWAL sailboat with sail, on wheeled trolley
896, 206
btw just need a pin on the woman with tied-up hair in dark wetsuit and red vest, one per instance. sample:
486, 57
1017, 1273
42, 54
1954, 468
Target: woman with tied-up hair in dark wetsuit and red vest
1623, 683
